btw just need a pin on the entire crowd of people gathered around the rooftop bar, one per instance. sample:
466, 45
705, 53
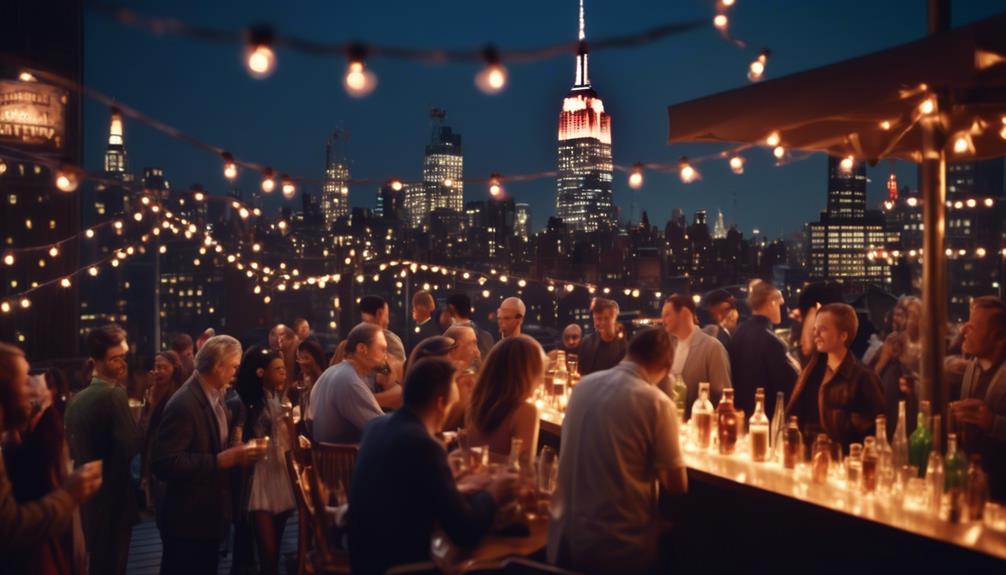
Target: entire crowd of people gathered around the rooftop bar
218, 421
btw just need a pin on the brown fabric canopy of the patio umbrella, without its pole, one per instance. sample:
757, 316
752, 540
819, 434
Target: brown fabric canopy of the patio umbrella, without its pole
871, 107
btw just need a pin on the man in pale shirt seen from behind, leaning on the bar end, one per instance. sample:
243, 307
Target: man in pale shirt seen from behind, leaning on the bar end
620, 438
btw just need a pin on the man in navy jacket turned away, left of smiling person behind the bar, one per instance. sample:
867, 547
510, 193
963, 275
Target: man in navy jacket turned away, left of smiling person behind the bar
758, 357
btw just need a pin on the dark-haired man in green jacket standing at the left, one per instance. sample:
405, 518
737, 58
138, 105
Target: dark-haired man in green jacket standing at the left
100, 427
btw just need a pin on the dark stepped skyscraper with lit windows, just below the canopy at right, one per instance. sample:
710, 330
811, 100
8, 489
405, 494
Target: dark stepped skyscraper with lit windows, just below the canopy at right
847, 232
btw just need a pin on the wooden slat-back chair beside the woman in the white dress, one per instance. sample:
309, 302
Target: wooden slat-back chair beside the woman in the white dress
315, 551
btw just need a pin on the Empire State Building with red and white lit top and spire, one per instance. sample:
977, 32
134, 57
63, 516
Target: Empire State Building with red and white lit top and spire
584, 196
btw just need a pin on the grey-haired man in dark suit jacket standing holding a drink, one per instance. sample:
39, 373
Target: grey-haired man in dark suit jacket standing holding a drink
190, 455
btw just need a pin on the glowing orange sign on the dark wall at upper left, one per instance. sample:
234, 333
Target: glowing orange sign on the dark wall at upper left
33, 115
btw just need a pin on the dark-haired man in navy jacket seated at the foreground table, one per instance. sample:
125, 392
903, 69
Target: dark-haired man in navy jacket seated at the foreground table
403, 485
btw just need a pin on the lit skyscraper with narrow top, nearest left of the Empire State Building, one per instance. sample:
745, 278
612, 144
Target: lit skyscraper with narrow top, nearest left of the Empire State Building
442, 176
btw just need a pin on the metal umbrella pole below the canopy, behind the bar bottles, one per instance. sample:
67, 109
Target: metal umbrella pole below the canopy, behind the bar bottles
933, 184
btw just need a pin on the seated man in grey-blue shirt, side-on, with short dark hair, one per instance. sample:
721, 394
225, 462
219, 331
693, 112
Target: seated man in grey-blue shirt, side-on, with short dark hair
344, 405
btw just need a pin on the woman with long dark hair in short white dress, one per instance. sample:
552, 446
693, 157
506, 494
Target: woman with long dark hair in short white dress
270, 495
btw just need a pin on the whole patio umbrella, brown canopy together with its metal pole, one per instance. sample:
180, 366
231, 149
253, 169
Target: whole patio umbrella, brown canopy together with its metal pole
939, 97
